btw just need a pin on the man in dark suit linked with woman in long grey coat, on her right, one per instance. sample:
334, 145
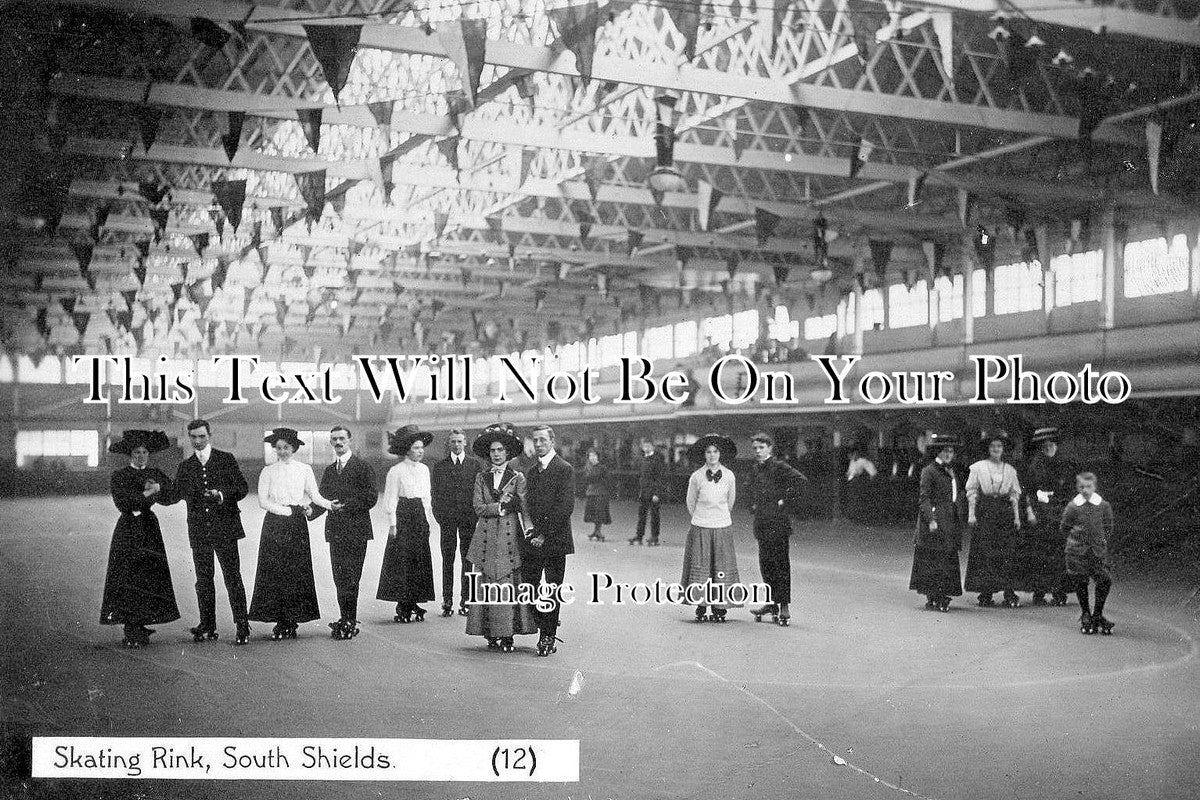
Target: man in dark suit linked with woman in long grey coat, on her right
551, 496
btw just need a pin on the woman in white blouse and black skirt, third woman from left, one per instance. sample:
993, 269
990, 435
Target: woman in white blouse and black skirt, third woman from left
407, 574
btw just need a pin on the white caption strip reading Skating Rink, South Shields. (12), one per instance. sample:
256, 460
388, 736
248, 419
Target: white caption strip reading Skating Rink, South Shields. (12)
308, 760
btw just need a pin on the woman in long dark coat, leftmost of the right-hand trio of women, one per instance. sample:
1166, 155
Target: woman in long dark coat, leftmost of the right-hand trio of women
935, 563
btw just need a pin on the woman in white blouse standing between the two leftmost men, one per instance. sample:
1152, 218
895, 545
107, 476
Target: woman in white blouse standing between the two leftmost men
285, 590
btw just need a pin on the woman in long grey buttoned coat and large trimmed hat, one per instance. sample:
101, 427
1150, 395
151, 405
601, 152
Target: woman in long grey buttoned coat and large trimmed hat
500, 503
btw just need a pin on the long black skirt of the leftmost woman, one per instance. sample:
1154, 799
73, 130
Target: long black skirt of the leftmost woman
137, 584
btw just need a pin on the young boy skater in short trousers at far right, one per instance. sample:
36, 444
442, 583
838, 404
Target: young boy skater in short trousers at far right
1088, 524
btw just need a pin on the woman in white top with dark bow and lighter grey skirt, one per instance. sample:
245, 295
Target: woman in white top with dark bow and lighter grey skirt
709, 557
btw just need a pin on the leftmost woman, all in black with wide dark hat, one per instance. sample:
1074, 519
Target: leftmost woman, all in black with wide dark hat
137, 586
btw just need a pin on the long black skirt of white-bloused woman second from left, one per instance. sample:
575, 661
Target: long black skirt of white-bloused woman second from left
285, 590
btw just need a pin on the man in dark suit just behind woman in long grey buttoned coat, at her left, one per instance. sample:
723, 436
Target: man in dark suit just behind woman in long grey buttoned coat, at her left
453, 482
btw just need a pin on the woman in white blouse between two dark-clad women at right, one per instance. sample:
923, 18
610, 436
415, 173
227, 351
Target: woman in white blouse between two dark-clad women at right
993, 495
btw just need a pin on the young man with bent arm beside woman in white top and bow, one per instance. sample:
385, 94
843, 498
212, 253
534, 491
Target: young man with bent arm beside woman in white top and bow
775, 489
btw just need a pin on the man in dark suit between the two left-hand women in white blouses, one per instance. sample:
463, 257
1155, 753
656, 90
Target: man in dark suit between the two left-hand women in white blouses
350, 483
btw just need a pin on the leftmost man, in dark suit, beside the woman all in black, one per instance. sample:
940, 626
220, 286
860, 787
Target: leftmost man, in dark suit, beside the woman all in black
212, 484
